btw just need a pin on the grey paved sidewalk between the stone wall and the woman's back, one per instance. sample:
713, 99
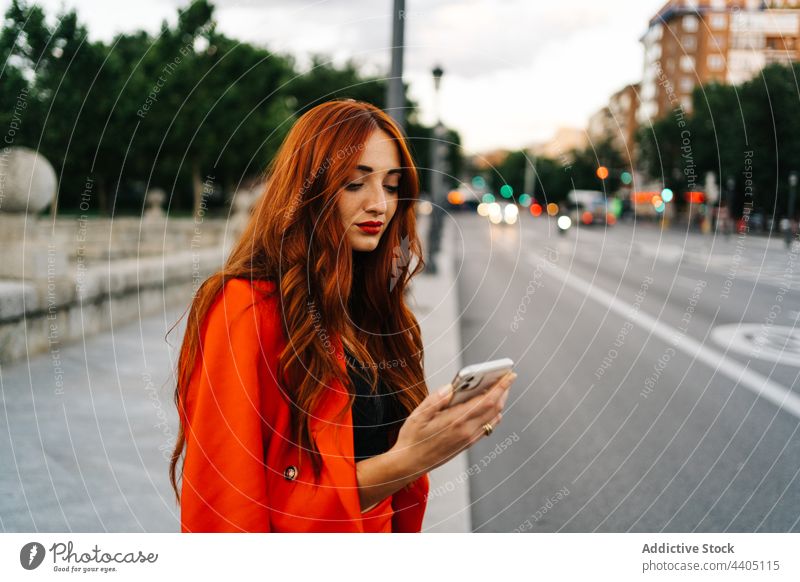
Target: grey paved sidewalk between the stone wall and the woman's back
85, 433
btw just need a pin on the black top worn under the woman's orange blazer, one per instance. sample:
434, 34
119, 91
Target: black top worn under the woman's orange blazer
375, 416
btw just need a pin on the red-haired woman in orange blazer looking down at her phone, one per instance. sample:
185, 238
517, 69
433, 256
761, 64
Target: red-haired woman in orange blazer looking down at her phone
306, 329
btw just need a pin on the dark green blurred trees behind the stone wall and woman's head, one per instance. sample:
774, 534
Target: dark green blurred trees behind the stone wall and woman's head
178, 110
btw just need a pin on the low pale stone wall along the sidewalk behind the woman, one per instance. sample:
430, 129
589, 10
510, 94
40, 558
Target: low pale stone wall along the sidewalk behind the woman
60, 283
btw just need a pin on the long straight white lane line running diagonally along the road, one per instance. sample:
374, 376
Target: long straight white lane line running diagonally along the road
757, 383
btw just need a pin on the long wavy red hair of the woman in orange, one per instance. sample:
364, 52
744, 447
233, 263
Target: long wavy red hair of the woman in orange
295, 238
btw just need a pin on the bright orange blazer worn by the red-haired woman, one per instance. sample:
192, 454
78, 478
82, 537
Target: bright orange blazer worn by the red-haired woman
241, 472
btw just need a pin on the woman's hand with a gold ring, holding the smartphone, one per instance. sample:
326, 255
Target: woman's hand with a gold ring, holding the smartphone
435, 433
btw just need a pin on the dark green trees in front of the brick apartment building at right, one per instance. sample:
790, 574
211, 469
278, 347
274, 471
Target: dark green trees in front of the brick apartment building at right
747, 135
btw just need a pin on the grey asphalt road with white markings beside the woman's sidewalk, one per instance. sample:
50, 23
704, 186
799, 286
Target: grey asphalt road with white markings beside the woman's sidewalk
641, 403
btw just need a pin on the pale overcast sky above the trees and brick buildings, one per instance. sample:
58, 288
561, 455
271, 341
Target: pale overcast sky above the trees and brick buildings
514, 70
